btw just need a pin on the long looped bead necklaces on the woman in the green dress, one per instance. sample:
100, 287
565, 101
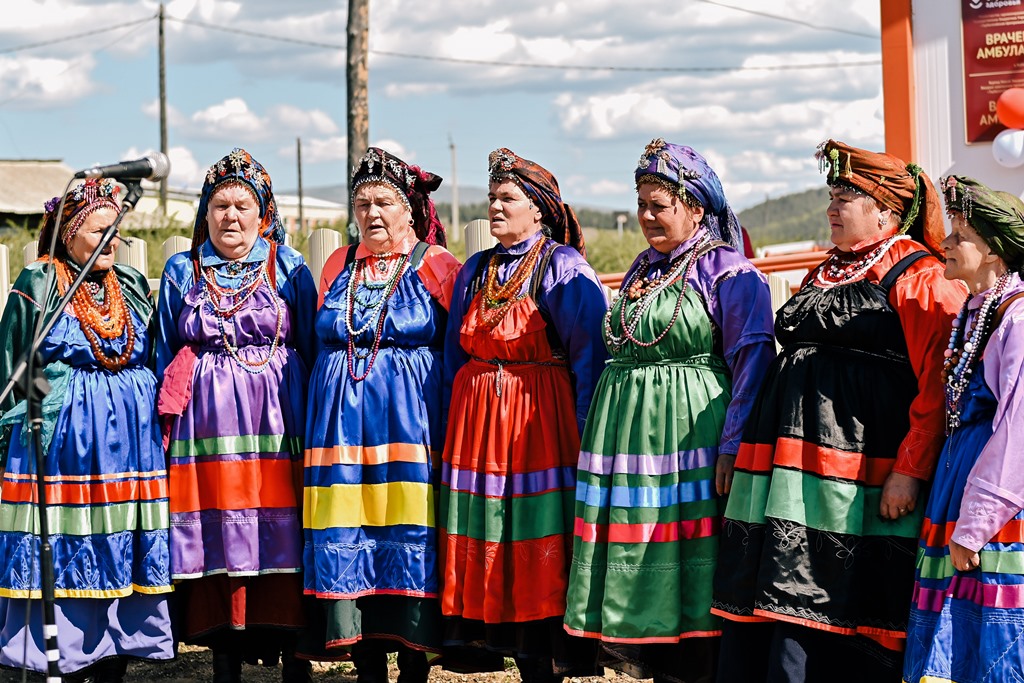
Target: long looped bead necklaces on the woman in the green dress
646, 291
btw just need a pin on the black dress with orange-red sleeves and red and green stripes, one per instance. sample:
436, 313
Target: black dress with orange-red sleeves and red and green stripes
854, 396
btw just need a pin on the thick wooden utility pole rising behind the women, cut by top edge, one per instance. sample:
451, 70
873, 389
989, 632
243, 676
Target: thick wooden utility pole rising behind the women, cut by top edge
358, 74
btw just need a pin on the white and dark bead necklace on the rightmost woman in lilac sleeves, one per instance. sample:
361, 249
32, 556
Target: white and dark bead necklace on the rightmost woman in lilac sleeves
965, 350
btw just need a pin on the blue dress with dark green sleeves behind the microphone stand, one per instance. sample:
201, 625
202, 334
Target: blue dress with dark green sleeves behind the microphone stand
106, 485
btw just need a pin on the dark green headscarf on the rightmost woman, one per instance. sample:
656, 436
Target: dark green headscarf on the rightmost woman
997, 217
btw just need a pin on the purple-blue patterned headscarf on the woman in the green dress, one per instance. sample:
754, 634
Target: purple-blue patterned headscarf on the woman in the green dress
685, 172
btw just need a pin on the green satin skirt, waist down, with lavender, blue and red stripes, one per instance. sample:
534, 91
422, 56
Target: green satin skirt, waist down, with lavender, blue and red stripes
647, 510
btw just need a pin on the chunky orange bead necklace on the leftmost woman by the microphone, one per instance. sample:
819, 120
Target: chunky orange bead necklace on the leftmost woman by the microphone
108, 319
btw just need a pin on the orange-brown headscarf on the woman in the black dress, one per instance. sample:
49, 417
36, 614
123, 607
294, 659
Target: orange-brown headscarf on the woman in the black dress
904, 188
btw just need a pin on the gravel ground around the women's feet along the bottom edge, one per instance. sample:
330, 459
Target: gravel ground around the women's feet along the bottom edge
194, 666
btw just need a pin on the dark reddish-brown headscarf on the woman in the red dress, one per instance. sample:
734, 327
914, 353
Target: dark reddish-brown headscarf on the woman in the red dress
542, 189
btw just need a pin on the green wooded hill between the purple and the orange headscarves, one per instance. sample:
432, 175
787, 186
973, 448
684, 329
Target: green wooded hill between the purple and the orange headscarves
789, 219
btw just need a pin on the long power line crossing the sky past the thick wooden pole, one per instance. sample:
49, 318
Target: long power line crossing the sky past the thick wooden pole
530, 65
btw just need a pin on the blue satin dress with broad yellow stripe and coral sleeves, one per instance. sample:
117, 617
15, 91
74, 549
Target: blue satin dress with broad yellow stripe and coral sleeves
373, 445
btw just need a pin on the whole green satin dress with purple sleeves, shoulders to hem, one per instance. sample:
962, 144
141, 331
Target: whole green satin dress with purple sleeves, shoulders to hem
648, 515
